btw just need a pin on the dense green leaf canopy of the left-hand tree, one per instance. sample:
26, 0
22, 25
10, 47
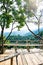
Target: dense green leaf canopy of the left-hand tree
10, 13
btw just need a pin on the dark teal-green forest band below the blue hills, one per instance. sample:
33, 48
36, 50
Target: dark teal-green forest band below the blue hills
13, 38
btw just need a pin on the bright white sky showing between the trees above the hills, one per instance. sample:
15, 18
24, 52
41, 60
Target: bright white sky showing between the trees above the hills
32, 26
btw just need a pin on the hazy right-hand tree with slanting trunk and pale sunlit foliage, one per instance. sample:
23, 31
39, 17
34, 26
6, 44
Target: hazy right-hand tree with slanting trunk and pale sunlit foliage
31, 11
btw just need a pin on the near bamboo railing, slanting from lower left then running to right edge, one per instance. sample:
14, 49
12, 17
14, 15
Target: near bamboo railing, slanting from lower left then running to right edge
16, 55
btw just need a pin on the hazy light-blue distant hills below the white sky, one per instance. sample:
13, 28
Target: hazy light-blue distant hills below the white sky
22, 33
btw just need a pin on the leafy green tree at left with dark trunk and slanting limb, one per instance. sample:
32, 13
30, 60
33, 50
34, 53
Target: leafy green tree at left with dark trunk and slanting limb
9, 13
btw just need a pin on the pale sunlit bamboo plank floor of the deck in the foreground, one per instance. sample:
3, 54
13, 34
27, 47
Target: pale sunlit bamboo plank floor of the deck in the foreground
34, 57
